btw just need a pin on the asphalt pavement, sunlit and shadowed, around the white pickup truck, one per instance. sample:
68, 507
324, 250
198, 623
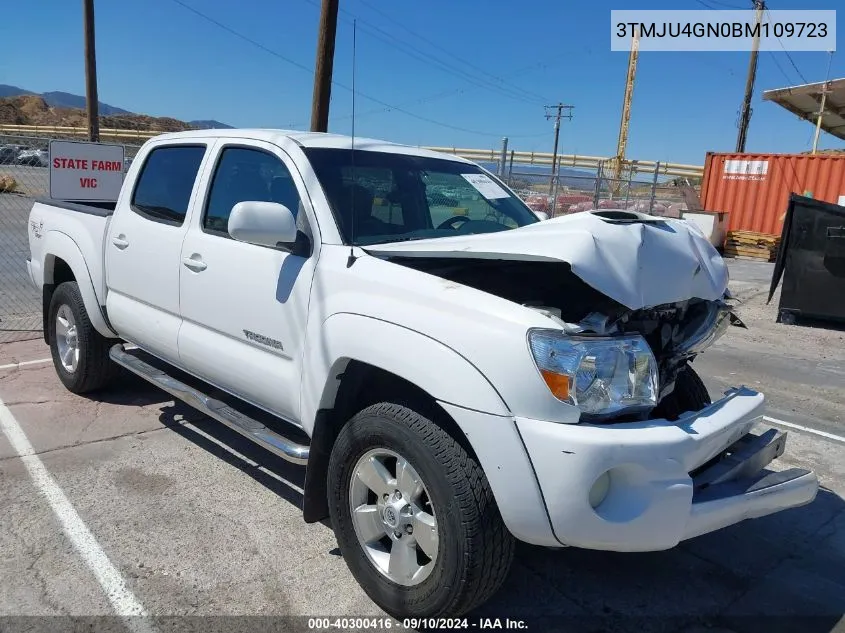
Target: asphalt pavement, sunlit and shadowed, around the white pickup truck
128, 503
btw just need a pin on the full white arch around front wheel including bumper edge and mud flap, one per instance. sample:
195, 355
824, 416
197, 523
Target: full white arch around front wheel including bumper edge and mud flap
453, 381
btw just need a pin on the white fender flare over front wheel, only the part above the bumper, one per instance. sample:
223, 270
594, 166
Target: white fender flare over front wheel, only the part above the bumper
421, 360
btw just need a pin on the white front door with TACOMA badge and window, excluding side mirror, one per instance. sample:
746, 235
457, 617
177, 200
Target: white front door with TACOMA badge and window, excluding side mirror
244, 307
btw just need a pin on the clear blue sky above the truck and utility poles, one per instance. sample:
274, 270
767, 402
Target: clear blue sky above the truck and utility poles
159, 58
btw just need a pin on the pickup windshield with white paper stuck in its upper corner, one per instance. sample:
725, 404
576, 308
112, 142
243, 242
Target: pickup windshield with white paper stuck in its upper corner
395, 197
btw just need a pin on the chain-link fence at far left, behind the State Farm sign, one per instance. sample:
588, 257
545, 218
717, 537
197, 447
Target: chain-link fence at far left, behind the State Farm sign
24, 176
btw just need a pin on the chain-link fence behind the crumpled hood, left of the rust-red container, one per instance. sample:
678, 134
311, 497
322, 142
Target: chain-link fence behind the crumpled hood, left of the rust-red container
570, 191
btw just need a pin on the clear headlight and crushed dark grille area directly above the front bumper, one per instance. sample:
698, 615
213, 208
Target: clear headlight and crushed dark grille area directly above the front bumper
621, 365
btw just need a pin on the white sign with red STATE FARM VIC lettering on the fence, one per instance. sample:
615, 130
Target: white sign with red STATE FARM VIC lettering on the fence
85, 171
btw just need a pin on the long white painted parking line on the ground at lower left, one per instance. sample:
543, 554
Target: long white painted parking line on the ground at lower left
124, 602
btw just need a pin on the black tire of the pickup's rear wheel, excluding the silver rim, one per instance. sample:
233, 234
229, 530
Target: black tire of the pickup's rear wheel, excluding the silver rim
95, 368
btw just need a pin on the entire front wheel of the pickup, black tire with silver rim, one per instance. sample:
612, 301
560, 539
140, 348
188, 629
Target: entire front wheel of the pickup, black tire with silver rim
414, 516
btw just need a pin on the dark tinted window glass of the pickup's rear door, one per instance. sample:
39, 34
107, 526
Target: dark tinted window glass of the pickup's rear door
167, 178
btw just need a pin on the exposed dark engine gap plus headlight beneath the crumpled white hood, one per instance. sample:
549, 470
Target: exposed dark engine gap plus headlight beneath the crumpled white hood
613, 362
